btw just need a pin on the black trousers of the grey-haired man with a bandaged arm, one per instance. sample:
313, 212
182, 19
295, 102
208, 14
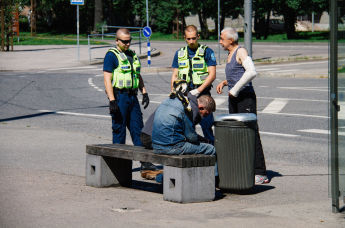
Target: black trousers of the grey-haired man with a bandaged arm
246, 103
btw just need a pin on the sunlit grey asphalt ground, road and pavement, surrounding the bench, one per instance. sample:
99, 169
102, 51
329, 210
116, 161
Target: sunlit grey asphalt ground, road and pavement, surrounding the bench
47, 117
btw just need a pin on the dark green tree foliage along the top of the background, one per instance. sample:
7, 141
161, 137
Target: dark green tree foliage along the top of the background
59, 16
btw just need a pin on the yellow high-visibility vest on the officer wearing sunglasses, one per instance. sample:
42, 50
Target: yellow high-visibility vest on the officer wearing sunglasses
126, 75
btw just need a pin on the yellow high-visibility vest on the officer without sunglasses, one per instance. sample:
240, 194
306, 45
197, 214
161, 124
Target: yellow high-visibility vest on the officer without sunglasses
194, 69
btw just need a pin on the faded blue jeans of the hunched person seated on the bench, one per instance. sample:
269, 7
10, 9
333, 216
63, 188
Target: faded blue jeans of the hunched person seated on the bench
188, 148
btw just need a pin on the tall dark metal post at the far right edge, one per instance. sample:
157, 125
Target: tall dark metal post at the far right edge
334, 105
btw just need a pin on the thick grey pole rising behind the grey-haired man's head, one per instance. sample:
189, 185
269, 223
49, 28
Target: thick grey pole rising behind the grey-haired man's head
248, 26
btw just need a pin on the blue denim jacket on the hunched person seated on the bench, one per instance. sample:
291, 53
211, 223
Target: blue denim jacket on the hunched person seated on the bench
171, 125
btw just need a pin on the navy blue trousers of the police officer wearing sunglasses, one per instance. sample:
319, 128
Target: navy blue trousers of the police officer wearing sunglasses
130, 117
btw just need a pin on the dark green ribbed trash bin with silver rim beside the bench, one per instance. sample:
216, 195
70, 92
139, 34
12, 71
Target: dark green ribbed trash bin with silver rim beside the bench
235, 148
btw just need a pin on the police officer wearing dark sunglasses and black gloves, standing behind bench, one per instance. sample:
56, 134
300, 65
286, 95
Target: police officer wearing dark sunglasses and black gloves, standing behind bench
122, 80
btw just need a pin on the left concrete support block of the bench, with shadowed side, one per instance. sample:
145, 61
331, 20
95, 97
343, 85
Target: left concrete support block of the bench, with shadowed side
107, 171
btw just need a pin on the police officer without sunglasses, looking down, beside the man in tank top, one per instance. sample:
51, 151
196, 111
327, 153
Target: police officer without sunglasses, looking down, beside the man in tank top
196, 64
